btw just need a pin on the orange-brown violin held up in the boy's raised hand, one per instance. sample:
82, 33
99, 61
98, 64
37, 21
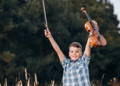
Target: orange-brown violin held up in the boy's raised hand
92, 27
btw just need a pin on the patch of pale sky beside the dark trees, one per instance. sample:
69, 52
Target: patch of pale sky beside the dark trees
116, 4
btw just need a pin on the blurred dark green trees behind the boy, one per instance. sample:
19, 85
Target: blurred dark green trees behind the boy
23, 44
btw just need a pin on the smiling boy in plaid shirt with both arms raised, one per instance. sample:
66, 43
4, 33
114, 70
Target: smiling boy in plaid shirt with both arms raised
75, 69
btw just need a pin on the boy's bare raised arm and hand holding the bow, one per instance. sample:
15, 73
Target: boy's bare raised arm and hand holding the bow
54, 44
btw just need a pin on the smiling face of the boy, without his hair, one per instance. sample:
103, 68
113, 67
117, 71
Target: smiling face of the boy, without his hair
75, 53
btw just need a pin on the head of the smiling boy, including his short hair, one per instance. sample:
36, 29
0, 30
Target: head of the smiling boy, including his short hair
75, 50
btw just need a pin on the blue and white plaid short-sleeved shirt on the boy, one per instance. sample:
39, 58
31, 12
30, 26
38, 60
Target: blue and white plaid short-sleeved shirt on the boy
76, 73
